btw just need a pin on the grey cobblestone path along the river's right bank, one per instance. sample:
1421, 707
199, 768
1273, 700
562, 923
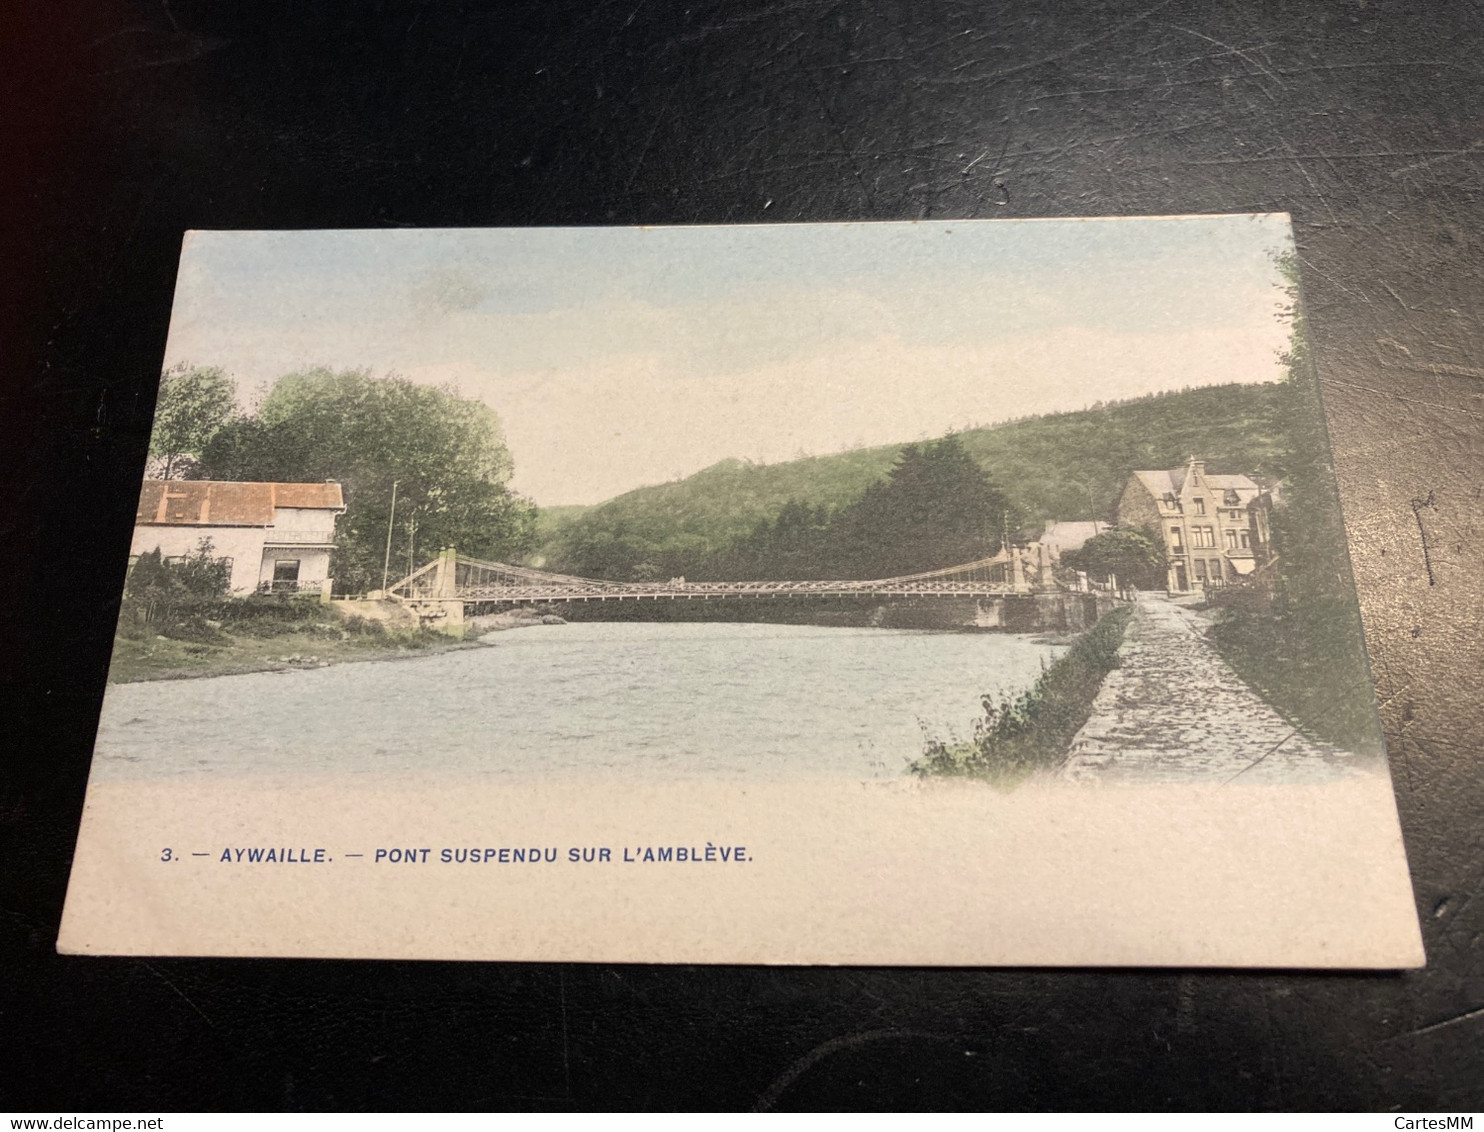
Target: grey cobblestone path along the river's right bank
1175, 711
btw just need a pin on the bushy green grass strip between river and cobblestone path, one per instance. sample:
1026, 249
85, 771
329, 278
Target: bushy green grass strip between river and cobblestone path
1034, 731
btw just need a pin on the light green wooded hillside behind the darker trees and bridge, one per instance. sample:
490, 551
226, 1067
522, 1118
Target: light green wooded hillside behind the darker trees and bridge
1062, 467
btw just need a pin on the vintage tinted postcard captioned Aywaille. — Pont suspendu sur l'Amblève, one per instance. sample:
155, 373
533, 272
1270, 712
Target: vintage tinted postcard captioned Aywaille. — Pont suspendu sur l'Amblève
888, 594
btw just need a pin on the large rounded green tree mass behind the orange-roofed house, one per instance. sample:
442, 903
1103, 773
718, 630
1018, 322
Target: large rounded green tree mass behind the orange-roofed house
446, 455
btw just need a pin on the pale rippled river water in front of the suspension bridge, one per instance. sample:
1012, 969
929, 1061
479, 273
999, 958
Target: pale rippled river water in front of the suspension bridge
655, 701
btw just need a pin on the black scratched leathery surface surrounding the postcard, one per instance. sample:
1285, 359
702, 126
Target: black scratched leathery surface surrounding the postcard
130, 121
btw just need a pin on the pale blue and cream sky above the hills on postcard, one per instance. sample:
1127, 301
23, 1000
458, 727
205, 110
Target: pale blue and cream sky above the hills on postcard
627, 357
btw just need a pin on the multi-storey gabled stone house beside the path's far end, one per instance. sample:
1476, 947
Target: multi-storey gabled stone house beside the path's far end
1215, 527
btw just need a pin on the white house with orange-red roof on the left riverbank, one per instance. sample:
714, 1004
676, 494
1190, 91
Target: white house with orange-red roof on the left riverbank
275, 536
